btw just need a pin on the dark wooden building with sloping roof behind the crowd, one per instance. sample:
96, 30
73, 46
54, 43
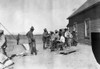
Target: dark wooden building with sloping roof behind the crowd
86, 20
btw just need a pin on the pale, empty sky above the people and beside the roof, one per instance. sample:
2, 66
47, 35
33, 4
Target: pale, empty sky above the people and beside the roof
19, 15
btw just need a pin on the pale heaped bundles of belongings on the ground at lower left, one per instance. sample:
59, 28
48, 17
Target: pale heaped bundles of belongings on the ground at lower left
19, 50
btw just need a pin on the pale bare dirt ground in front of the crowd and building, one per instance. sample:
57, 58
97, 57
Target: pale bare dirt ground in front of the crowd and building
83, 58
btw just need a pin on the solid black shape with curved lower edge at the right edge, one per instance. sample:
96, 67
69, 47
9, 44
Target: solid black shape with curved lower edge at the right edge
95, 41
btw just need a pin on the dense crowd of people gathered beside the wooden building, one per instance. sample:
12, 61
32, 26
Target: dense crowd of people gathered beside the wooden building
59, 39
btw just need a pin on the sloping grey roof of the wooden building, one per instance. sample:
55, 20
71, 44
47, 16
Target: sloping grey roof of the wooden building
86, 5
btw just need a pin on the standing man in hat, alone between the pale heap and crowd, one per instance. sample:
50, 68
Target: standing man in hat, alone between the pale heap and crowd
31, 40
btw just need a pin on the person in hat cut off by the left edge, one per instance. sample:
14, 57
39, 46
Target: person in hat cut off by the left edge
3, 42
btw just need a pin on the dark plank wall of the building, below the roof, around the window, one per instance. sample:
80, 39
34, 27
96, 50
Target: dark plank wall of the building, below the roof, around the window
93, 14
